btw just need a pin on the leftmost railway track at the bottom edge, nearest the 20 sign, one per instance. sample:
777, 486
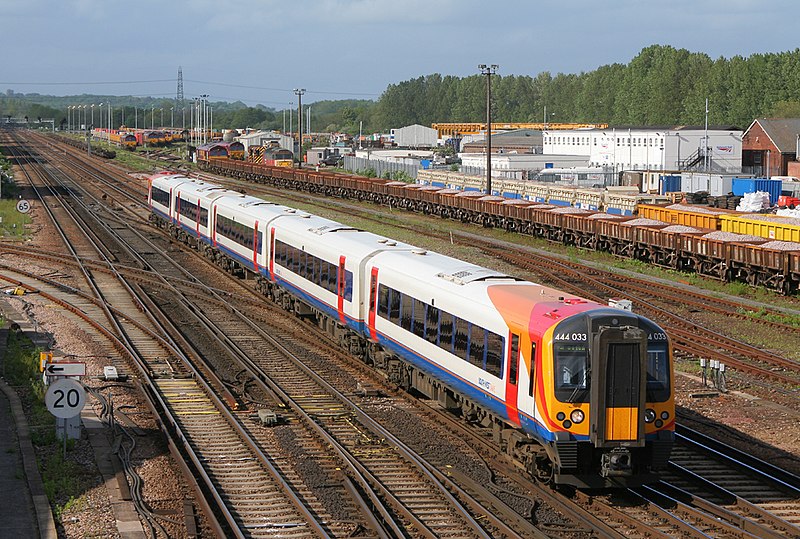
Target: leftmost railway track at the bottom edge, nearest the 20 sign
160, 363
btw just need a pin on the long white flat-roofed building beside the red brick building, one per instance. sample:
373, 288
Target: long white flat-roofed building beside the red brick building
679, 148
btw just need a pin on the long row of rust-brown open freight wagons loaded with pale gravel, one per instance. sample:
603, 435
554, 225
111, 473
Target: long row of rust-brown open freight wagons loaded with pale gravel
724, 257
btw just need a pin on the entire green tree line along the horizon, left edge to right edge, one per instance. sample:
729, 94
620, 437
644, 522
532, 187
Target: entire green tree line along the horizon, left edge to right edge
661, 86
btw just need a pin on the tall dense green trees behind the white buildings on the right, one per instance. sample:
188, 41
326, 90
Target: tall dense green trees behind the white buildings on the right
660, 86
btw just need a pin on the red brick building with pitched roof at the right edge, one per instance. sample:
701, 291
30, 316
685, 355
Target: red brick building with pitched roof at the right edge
770, 146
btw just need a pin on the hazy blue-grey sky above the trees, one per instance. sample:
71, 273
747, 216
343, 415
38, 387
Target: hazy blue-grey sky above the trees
258, 51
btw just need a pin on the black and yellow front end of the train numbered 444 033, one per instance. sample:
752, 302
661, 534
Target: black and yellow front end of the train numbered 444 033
615, 367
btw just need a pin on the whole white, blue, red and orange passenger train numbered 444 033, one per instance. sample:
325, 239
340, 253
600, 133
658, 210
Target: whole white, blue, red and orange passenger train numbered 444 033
579, 393
